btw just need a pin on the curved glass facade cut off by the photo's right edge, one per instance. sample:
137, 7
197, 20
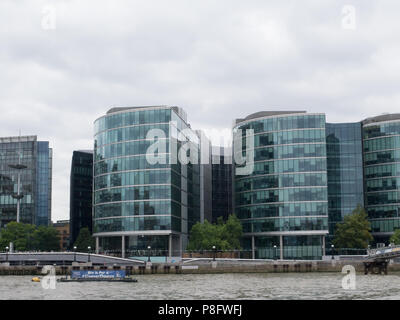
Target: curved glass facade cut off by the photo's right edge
381, 147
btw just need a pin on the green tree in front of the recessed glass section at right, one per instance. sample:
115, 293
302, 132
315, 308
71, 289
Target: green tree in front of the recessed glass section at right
354, 231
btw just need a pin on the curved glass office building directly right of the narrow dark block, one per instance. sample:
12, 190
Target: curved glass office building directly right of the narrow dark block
140, 203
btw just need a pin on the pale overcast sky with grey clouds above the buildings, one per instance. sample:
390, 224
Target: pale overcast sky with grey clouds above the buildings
65, 63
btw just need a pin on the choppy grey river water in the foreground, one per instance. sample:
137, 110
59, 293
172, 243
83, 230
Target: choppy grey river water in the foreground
211, 286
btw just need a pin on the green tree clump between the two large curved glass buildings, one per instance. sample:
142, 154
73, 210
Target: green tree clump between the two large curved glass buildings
224, 236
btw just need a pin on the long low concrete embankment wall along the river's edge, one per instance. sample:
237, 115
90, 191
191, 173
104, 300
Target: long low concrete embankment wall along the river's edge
208, 267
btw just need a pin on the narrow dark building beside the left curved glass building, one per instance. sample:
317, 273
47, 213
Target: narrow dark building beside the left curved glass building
81, 191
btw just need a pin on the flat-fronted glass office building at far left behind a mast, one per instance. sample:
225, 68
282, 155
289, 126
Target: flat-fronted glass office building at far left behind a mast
35, 157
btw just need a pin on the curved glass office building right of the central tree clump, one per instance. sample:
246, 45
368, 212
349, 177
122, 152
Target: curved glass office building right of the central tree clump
283, 203
